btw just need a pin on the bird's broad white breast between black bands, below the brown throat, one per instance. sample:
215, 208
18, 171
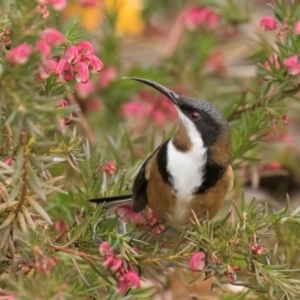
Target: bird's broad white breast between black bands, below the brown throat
186, 170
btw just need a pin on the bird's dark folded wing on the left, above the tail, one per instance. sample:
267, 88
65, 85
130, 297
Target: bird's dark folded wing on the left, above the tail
139, 190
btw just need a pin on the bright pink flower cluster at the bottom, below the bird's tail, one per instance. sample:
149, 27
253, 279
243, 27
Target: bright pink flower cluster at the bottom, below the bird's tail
126, 277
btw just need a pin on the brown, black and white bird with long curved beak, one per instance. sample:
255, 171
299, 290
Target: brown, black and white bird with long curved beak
190, 173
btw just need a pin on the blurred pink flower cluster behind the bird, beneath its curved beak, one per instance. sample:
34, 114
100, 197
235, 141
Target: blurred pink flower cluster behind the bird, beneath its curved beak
158, 108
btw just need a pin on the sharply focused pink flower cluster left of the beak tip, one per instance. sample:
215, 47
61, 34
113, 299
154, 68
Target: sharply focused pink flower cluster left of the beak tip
77, 61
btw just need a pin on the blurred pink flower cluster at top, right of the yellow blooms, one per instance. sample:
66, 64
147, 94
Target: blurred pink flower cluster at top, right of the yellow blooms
200, 16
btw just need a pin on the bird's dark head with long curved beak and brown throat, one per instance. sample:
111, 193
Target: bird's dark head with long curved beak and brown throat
198, 120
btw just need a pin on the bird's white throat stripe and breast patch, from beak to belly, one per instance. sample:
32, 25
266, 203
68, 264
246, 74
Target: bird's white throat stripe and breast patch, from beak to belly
186, 168
